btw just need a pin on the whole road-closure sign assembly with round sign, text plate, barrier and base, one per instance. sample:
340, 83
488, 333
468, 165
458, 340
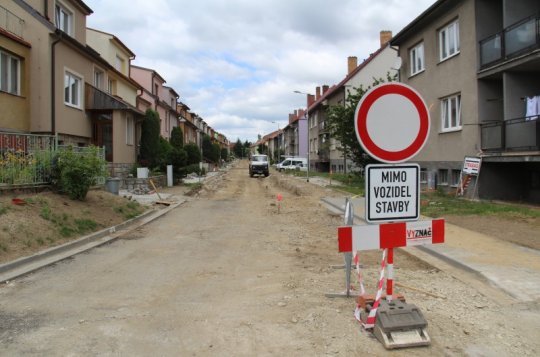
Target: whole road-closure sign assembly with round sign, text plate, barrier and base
392, 125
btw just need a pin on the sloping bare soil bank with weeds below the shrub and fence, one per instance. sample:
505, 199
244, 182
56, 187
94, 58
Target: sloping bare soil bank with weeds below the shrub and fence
30, 222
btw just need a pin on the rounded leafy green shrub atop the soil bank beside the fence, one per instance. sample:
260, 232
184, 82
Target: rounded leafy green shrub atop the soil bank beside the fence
76, 172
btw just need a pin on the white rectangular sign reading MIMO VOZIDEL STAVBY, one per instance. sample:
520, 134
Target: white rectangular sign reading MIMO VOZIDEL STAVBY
392, 193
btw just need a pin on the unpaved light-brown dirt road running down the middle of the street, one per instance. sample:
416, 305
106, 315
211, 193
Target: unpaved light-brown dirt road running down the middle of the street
227, 275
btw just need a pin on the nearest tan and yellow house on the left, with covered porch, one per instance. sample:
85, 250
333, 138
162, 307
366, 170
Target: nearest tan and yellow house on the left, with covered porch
54, 82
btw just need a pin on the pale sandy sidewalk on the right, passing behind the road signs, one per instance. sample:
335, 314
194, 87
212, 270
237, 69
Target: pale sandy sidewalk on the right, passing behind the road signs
506, 266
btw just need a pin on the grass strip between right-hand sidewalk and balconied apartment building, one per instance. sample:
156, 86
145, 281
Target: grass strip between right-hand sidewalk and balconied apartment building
435, 204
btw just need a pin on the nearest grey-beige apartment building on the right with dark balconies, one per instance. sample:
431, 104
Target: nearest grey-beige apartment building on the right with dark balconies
476, 62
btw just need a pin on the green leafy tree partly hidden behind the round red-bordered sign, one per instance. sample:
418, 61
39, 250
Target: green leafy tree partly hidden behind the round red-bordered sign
341, 122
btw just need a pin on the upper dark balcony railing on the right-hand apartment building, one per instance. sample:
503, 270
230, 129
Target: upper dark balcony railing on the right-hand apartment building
513, 41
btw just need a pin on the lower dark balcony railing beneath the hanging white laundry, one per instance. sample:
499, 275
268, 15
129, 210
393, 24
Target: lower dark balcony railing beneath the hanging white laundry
520, 134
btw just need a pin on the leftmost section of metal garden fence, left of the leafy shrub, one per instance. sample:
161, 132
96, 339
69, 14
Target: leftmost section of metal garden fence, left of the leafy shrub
25, 159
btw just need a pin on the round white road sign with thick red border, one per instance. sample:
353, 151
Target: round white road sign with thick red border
392, 122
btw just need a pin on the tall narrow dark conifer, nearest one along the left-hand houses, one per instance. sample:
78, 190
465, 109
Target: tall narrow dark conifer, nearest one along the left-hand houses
150, 146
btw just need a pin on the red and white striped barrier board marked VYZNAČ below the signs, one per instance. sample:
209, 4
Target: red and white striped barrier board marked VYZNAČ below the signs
390, 235
